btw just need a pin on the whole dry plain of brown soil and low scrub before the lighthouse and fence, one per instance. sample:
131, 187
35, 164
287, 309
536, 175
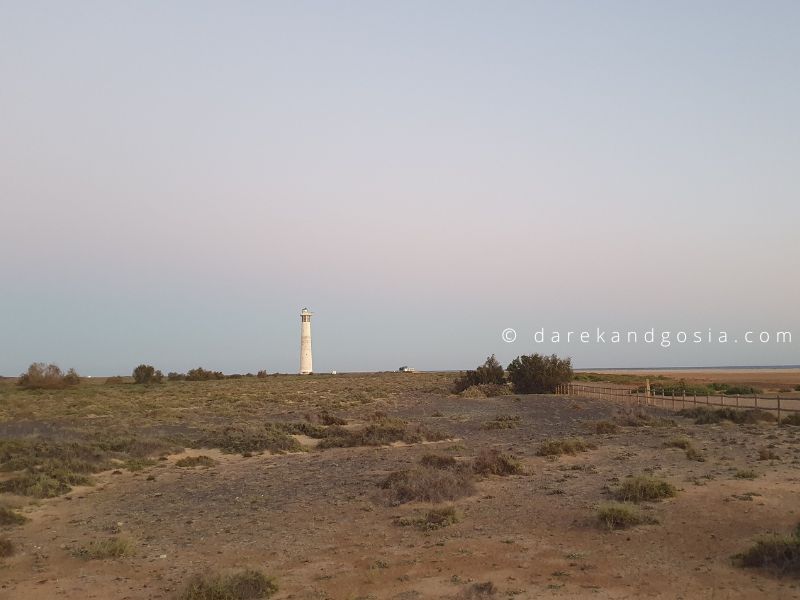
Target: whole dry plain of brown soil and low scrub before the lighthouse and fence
295, 485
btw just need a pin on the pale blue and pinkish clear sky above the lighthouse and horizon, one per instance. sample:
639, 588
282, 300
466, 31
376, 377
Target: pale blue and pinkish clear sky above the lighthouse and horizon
178, 180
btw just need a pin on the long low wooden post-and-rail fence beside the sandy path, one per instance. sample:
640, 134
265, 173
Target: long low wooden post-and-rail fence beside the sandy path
668, 399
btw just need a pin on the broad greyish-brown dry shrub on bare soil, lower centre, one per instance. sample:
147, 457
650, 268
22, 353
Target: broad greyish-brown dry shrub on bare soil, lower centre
428, 485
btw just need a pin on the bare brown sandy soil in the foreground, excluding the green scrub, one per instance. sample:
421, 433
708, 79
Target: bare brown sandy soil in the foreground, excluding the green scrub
319, 523
